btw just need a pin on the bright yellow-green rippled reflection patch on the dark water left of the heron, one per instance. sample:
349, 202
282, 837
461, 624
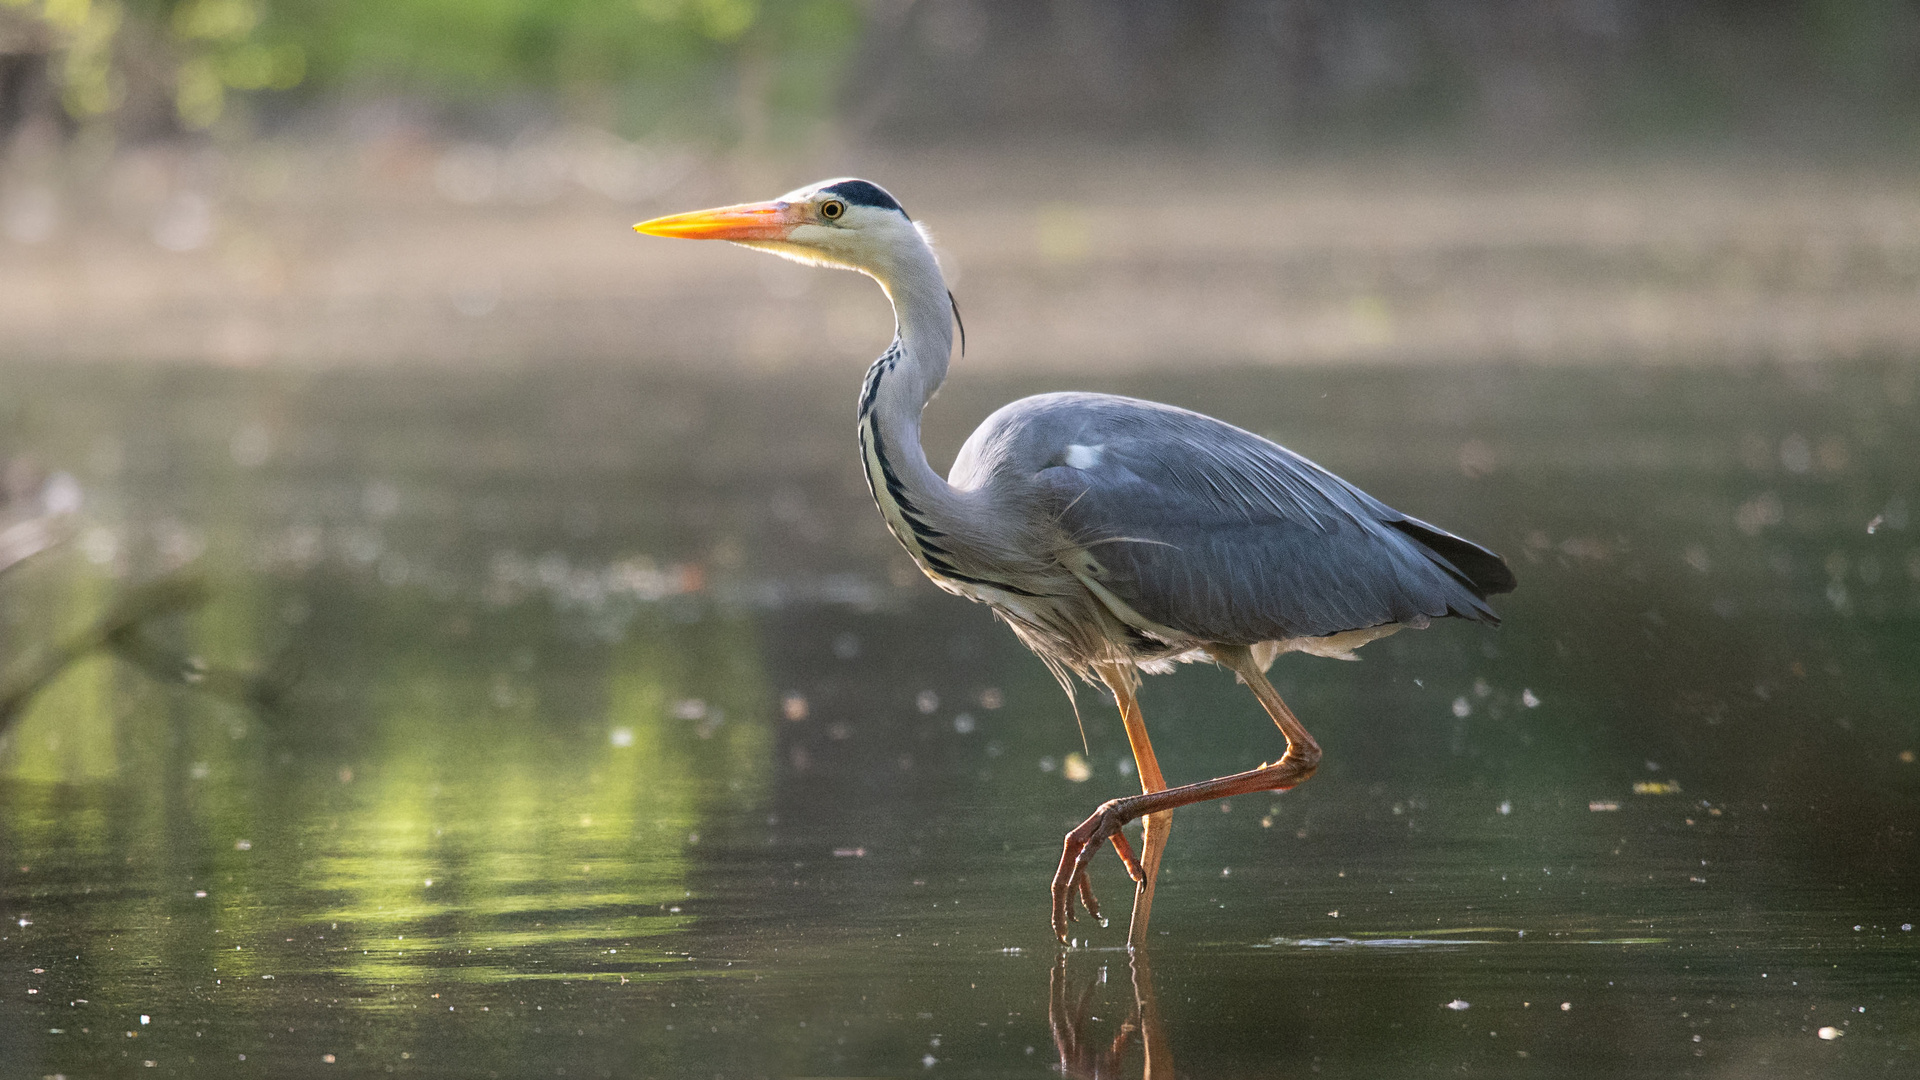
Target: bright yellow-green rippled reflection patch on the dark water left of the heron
481, 841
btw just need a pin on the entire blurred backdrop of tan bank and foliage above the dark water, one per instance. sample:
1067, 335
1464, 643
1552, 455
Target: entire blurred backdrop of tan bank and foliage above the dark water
1118, 185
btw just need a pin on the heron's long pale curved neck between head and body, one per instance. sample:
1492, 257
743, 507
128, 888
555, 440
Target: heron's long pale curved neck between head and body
901, 383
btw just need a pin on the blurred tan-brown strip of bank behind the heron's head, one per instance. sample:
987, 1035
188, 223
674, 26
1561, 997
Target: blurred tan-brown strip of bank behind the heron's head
416, 251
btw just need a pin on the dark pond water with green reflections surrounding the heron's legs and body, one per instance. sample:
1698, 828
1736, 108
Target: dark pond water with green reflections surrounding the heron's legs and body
592, 725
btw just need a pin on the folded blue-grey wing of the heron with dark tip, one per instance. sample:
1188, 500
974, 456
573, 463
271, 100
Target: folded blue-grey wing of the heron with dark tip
1218, 533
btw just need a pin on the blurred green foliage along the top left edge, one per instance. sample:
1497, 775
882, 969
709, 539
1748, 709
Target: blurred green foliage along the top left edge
656, 55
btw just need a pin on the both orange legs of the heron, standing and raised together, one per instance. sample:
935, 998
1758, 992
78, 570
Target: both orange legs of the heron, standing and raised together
1082, 845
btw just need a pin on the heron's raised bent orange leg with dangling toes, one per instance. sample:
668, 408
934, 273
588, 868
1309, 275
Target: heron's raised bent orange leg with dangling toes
1301, 760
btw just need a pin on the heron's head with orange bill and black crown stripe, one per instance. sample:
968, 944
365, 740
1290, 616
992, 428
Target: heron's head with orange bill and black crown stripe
836, 224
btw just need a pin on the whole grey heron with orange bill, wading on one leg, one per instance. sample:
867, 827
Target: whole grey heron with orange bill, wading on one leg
1115, 535
